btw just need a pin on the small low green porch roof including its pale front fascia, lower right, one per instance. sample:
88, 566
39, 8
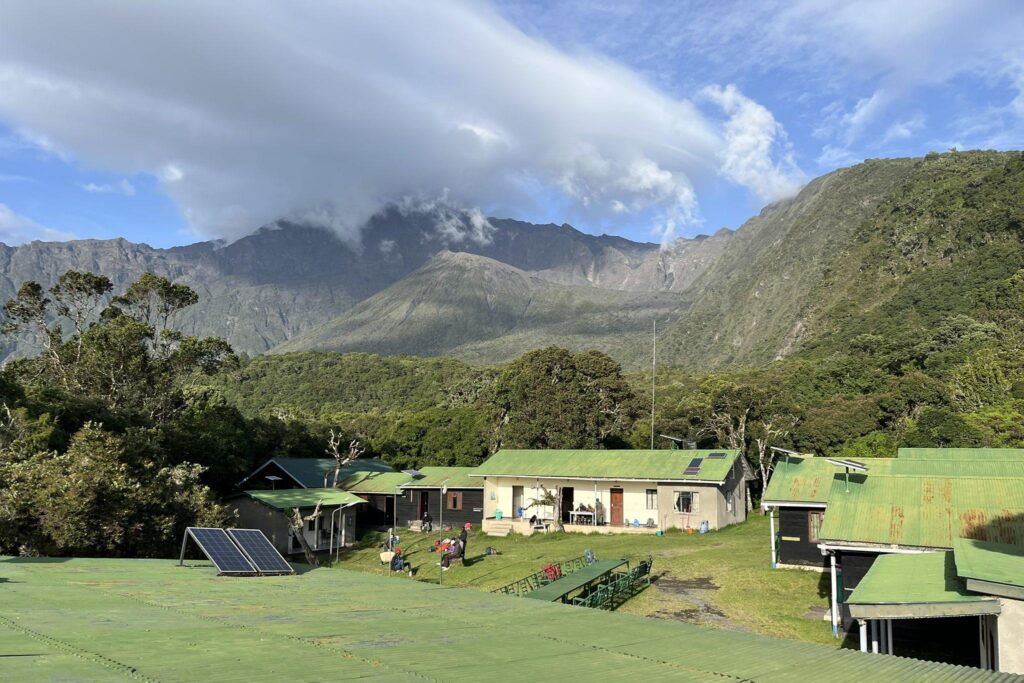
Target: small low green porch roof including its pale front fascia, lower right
916, 586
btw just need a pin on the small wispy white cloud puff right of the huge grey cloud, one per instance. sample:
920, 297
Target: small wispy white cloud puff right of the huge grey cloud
752, 137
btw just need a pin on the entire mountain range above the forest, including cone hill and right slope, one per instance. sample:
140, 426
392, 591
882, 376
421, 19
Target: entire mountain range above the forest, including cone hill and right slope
849, 244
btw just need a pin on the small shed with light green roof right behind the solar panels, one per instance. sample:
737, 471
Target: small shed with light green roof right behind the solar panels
270, 511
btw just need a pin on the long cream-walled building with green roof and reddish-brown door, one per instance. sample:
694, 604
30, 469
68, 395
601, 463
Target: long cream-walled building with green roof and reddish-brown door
620, 491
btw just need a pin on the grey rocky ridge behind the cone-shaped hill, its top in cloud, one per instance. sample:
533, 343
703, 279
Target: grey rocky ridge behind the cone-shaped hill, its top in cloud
278, 283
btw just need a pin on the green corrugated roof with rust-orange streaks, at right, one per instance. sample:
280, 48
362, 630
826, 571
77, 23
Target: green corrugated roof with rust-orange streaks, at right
925, 513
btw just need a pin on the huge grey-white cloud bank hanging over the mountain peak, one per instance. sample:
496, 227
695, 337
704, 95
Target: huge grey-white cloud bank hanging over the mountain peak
329, 111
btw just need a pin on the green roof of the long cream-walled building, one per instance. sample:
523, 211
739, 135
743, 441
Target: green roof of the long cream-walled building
618, 465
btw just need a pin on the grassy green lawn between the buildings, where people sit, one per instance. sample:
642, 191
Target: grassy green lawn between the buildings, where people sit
723, 579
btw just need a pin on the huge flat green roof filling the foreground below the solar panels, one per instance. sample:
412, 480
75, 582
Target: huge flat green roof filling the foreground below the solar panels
92, 620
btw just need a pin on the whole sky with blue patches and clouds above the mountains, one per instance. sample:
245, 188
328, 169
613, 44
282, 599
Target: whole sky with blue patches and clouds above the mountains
650, 120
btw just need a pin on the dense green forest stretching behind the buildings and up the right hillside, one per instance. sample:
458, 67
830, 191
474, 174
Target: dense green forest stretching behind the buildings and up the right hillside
122, 431
